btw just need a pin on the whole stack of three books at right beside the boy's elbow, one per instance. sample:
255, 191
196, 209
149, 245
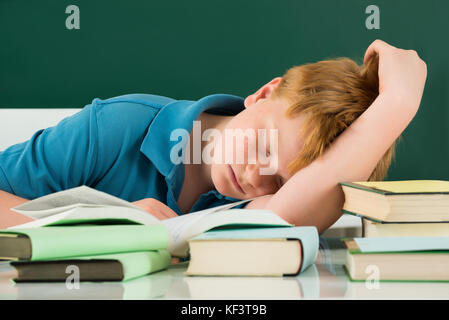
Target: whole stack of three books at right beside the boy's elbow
405, 229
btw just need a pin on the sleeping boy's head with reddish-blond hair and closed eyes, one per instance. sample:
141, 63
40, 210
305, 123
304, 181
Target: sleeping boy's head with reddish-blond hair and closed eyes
310, 105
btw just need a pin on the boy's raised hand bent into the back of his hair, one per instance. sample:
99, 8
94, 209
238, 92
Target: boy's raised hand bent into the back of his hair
402, 74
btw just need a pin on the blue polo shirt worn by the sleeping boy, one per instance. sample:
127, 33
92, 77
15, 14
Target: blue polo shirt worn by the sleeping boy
120, 146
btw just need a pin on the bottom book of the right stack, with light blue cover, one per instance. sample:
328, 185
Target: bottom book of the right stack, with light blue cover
398, 258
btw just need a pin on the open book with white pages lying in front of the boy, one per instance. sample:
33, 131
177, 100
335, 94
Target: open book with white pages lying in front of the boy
84, 205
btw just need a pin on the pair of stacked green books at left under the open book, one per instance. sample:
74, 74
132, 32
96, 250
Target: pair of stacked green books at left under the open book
90, 253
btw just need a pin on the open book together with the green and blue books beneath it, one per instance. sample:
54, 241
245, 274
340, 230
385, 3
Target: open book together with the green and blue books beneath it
104, 238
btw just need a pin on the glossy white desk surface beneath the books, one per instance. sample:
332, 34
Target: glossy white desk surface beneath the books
326, 279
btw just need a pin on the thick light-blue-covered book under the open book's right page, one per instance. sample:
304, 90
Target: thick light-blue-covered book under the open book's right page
253, 252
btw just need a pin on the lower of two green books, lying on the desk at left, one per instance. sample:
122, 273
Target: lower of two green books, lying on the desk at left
110, 267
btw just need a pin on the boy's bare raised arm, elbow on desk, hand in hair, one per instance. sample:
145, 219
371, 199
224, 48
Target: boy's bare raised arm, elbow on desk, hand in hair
312, 196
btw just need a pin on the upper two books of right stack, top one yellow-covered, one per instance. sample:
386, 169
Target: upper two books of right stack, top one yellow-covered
399, 208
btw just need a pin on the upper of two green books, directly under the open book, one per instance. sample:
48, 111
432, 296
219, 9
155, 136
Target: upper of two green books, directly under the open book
69, 241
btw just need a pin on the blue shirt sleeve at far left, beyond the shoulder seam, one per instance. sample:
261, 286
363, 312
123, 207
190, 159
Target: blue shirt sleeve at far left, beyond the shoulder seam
54, 159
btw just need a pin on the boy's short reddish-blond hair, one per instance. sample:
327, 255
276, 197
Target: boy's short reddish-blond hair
331, 94
